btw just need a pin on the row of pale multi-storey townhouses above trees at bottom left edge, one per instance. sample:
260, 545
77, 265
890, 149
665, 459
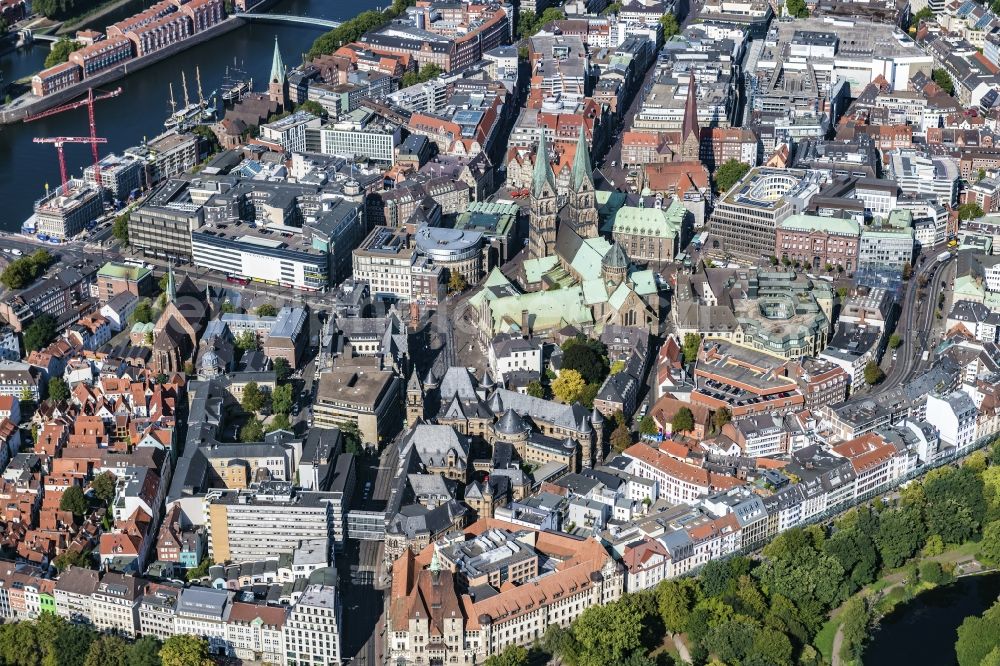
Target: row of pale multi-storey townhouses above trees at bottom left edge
304, 628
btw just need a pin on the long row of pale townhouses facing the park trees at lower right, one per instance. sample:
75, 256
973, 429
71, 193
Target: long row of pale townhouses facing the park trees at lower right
673, 538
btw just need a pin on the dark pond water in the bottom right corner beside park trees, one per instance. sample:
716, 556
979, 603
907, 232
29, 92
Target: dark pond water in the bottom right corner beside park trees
924, 630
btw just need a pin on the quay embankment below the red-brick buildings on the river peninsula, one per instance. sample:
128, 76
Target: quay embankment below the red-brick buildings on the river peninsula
27, 105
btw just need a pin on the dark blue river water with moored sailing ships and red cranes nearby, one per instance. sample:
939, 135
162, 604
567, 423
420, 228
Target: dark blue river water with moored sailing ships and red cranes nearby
25, 167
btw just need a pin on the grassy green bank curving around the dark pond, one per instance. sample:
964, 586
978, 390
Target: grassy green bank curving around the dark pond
894, 589
